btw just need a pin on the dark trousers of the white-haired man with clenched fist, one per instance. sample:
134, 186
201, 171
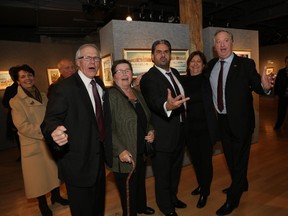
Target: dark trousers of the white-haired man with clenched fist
88, 201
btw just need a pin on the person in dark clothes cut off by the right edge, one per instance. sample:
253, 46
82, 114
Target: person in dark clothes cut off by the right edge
281, 90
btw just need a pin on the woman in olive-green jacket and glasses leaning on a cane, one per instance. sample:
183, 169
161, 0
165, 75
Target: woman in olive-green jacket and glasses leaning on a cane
131, 129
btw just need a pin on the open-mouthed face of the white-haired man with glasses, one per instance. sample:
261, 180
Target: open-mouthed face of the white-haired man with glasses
89, 66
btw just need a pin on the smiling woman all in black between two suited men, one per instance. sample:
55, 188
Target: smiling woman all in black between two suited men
201, 123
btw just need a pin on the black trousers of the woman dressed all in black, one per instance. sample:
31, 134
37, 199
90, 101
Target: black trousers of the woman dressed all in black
201, 150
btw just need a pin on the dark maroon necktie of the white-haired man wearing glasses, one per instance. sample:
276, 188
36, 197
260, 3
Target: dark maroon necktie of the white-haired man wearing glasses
99, 113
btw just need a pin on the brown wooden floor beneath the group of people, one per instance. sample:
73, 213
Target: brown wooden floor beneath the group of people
267, 195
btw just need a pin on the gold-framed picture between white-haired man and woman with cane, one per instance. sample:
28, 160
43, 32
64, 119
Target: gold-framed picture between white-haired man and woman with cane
106, 64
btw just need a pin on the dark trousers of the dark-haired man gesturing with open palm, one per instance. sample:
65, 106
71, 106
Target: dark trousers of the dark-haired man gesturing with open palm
167, 169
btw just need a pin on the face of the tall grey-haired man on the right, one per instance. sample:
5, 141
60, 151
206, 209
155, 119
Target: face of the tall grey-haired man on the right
223, 44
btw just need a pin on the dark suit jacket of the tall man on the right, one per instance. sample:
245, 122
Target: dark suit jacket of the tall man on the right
242, 79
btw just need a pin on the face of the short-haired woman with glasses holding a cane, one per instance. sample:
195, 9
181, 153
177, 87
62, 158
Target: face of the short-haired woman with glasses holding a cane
123, 75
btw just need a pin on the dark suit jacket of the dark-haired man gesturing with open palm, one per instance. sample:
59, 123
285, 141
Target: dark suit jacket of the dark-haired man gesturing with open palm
154, 87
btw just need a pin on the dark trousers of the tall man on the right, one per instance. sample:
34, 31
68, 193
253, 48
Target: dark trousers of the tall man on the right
236, 150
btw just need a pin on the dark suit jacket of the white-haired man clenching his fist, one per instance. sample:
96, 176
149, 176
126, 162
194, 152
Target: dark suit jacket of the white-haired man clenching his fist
70, 105
